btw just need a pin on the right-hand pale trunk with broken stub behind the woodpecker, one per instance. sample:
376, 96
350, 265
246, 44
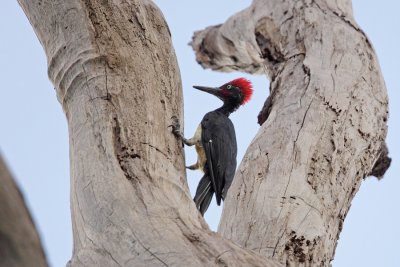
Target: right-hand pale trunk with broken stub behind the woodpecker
323, 125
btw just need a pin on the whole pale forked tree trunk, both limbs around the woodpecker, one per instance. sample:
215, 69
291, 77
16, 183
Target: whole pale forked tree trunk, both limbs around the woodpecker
116, 76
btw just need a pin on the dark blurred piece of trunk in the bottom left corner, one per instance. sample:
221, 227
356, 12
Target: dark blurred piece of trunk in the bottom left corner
19, 241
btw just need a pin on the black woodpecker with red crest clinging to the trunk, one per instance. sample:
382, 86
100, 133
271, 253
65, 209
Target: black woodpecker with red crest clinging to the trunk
215, 142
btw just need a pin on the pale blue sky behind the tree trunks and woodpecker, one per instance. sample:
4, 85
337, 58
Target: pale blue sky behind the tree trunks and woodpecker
34, 137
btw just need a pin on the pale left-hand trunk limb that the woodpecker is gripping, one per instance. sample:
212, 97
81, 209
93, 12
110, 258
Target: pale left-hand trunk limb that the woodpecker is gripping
116, 76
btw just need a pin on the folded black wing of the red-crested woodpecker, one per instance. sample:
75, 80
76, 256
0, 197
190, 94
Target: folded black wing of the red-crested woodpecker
219, 142
